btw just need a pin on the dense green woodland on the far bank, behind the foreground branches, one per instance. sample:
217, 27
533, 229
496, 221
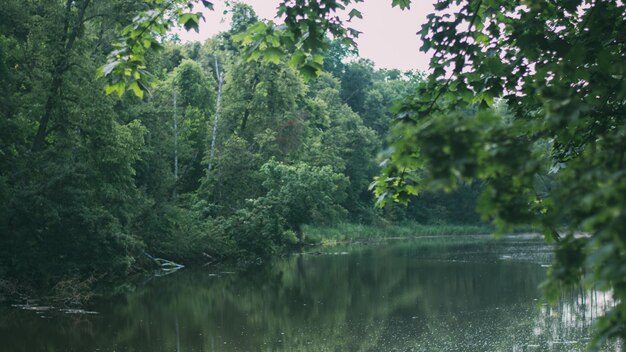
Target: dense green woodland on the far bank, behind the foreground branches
91, 181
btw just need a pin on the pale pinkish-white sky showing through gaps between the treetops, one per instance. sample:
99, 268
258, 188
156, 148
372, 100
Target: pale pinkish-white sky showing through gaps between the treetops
389, 34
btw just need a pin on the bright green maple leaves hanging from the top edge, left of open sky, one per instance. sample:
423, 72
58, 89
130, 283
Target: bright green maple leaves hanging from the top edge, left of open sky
300, 39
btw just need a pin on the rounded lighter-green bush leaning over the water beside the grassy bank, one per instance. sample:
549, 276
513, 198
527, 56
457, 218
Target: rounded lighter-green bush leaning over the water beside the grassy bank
295, 195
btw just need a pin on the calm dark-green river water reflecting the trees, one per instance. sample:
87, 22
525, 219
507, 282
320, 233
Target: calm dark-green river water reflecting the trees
467, 294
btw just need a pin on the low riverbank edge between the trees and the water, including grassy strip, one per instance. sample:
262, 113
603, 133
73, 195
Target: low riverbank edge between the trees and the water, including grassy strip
78, 290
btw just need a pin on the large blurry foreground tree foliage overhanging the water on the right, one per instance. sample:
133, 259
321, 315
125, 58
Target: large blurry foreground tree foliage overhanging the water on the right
519, 94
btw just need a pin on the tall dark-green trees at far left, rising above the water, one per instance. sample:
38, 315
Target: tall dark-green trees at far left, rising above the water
70, 164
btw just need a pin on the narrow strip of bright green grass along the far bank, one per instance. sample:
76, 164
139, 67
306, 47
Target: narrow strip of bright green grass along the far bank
346, 232
